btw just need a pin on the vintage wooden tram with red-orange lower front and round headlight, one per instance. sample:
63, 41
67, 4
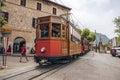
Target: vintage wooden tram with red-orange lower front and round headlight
58, 39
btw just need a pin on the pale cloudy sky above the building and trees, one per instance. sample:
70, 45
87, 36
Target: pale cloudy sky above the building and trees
94, 14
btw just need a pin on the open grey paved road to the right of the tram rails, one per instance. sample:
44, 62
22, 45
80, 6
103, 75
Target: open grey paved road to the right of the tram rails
93, 66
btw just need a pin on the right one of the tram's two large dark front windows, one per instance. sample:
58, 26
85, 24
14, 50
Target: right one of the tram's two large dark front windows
55, 30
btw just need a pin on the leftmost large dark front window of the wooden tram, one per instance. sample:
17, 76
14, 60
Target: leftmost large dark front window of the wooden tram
44, 30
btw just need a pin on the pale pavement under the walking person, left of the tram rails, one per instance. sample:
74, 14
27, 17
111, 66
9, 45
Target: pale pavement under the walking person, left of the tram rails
13, 64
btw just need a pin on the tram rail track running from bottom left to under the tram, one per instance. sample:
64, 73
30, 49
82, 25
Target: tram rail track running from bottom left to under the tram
36, 73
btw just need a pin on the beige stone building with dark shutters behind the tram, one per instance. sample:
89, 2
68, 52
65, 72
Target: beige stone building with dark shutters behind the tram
22, 15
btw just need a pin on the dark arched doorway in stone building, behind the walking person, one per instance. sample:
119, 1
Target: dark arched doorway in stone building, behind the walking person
18, 43
